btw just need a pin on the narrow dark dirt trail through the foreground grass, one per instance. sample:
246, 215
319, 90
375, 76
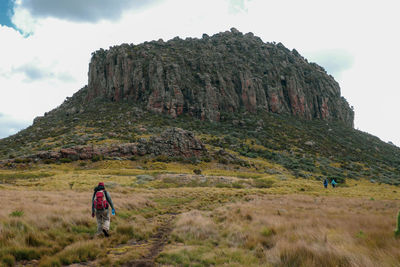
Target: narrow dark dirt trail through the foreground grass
158, 242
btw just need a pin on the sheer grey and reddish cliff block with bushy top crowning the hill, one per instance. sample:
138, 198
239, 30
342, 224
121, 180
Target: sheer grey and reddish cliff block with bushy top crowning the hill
228, 72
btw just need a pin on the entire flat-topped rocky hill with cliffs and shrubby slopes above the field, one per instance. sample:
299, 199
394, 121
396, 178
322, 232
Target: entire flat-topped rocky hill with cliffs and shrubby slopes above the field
229, 99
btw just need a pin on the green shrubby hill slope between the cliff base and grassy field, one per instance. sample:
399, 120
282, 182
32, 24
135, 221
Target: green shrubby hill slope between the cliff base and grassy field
307, 148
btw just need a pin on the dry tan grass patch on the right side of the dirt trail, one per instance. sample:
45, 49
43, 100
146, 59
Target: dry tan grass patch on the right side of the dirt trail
298, 230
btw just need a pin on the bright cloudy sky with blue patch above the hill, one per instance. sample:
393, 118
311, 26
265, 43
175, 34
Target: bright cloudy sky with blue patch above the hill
46, 45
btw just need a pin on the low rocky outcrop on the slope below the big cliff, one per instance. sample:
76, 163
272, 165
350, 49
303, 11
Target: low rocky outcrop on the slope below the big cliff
173, 142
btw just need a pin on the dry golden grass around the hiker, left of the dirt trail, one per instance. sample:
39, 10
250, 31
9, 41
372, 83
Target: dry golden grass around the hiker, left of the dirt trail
58, 224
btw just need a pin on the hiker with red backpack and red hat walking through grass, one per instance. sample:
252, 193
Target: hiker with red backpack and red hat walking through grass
100, 201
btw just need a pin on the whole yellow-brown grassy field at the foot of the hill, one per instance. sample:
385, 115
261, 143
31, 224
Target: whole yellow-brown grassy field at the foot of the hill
166, 214
